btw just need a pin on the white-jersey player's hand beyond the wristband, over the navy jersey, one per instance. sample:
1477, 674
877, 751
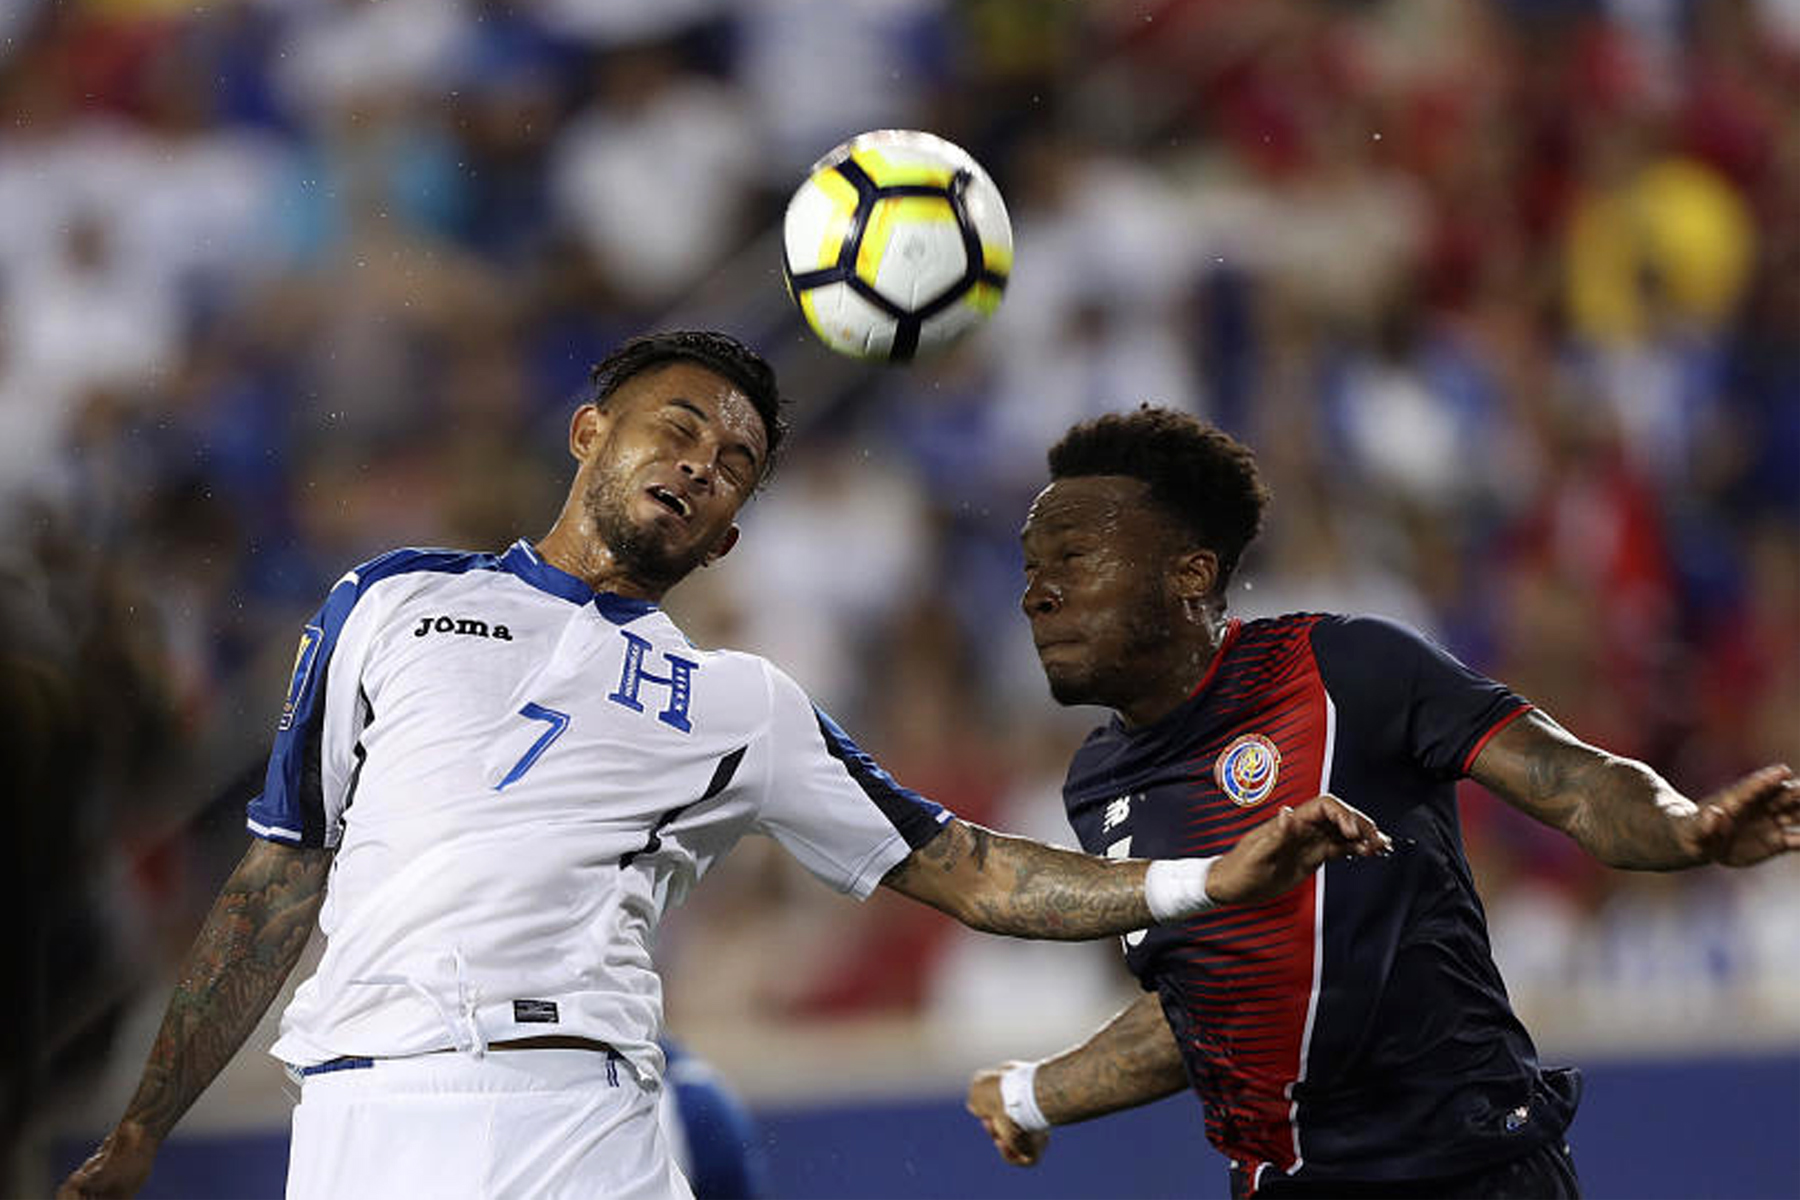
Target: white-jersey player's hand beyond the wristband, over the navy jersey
1290, 846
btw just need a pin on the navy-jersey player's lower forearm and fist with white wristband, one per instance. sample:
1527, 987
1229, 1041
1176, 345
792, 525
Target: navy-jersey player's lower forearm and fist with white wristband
1129, 1062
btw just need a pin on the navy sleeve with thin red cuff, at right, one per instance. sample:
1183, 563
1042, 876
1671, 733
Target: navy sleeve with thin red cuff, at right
1390, 676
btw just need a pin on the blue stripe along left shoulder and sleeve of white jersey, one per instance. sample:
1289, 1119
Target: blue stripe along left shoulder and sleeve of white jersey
292, 801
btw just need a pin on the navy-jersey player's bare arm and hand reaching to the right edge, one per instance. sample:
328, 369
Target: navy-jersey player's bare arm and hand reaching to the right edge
1628, 816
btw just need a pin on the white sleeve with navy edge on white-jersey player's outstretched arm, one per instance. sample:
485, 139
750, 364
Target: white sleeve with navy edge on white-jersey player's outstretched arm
831, 805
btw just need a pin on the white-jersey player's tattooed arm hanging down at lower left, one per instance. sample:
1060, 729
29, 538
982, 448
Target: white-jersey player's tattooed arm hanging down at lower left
244, 954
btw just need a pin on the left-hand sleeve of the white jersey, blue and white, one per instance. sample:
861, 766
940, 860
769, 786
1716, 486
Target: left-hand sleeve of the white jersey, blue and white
312, 766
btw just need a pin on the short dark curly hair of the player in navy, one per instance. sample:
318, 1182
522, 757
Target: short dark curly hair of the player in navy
1198, 474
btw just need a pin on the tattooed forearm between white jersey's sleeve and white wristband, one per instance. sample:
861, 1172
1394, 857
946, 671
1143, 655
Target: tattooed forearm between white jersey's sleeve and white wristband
1014, 886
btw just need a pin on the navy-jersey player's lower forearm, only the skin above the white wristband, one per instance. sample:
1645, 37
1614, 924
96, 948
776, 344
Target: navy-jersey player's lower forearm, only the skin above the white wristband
1131, 1062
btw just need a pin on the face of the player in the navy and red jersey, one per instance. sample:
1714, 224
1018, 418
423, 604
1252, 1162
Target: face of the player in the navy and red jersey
1097, 562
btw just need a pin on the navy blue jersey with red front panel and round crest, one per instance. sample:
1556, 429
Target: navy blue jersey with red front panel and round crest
1354, 1028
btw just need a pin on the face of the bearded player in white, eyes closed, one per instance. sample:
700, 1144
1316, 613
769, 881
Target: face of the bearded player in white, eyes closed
667, 465
